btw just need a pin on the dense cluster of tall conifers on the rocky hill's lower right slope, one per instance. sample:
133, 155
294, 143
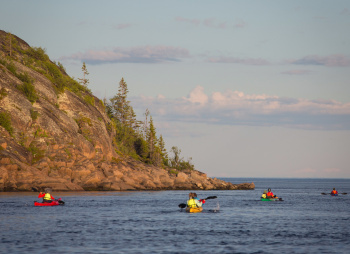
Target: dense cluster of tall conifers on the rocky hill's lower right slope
138, 139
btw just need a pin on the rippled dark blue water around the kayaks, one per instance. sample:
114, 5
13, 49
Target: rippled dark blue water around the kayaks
151, 222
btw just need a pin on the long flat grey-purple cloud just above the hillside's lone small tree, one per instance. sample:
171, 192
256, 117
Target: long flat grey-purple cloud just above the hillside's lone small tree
145, 54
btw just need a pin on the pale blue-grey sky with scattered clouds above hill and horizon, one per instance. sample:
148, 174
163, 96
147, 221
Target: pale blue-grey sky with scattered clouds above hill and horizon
245, 88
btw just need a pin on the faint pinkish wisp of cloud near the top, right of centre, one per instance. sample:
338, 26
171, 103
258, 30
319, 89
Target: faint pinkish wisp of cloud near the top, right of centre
212, 23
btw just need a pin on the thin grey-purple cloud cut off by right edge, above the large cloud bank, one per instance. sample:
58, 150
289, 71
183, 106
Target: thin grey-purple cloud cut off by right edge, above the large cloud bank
337, 60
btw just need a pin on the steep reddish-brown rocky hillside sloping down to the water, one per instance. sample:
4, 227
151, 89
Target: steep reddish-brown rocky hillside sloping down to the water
63, 138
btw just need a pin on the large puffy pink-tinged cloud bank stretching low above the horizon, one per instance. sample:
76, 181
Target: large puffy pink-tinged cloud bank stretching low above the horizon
237, 108
